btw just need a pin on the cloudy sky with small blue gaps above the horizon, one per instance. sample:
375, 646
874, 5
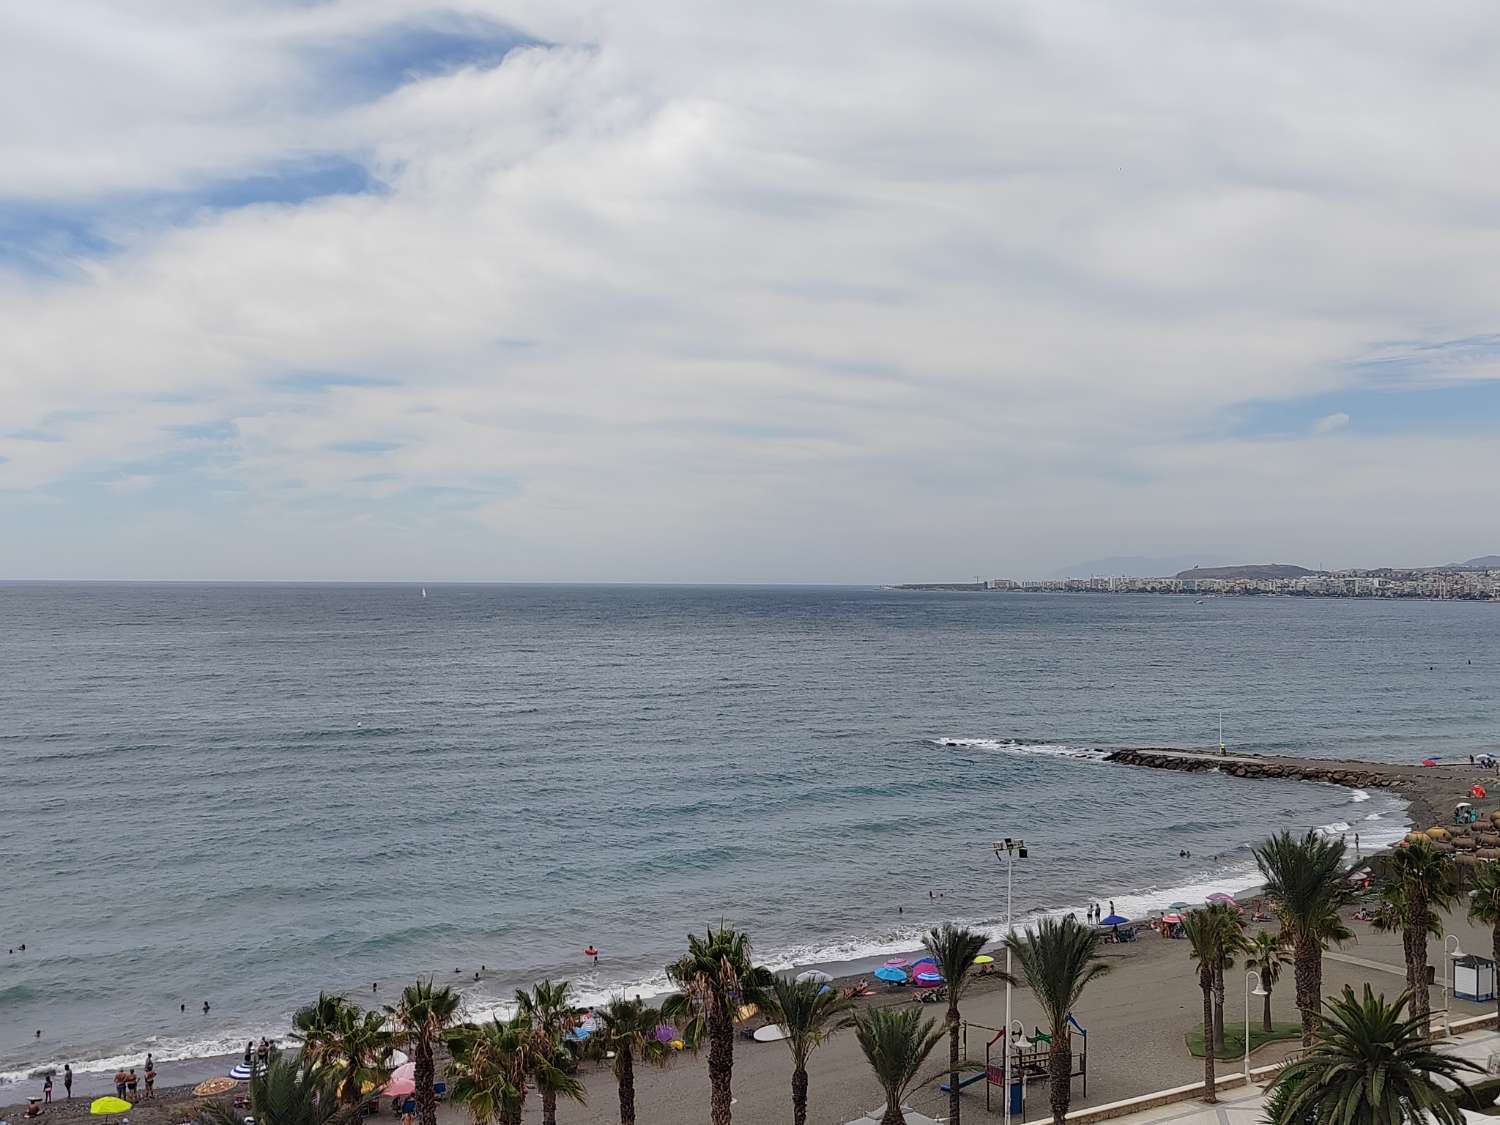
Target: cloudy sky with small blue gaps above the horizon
709, 292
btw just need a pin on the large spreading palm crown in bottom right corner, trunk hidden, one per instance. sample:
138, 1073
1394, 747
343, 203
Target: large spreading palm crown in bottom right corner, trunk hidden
1372, 1064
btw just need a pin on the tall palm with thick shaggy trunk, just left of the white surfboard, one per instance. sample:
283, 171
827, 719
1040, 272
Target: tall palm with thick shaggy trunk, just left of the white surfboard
716, 977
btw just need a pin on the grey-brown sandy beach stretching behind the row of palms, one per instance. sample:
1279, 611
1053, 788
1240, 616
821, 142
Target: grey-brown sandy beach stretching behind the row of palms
1136, 1018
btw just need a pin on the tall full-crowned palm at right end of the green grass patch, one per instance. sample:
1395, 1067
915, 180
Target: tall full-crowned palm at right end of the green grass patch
1307, 886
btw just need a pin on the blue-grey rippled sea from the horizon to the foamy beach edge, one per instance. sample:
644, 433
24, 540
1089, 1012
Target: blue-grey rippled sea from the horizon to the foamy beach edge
239, 796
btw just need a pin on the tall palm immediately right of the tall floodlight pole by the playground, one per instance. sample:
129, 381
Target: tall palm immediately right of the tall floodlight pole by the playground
1058, 961
